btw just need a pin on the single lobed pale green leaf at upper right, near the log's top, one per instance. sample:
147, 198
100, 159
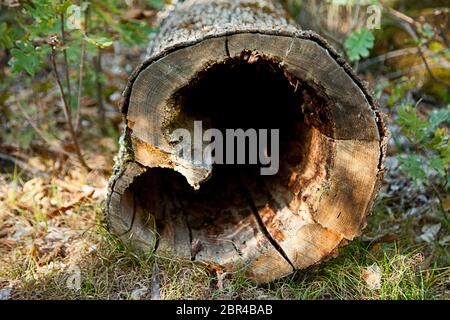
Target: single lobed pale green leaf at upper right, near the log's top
359, 43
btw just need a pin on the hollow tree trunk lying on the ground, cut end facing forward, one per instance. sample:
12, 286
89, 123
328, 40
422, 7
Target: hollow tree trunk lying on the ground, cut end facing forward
244, 64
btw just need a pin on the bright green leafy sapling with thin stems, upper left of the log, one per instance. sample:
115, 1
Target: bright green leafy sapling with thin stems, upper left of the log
56, 39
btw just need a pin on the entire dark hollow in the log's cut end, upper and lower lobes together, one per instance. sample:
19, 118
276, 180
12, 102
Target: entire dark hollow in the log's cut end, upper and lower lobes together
229, 209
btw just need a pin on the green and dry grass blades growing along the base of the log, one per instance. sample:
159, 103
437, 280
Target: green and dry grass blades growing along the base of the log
110, 270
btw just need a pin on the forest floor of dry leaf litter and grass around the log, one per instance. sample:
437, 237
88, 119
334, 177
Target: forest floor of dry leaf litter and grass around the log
54, 243
